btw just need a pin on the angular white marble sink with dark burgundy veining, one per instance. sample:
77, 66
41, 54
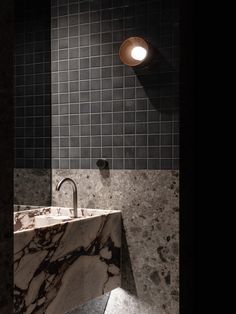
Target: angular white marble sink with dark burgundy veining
61, 262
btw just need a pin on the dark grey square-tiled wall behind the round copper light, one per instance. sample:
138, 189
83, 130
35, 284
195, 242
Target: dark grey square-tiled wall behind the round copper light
102, 108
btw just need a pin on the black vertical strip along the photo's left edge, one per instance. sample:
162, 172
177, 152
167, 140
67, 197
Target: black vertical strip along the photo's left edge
6, 154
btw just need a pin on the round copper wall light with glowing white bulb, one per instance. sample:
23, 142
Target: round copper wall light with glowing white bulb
134, 51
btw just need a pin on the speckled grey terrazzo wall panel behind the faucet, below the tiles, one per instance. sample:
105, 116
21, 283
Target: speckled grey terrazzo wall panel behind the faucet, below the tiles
149, 201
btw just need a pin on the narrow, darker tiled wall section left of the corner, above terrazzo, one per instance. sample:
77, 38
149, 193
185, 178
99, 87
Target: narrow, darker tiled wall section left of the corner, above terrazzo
33, 84
